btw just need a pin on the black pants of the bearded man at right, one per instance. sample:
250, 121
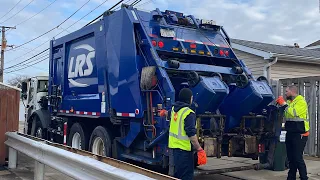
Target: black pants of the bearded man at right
295, 144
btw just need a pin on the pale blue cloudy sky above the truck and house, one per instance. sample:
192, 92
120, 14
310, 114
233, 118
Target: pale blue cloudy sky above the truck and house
282, 22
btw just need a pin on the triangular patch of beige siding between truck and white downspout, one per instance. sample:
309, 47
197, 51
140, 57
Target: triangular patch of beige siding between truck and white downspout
254, 63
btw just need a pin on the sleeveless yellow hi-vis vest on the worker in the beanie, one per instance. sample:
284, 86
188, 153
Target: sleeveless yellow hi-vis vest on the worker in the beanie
177, 135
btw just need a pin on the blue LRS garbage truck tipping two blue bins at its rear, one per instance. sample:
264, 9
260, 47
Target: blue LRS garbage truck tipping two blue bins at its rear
108, 81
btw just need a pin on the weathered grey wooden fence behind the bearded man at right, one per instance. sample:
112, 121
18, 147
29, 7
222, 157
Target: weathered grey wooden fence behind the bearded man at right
309, 88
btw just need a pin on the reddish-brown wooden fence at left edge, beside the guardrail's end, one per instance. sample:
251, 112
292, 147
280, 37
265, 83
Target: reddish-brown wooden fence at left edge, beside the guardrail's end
9, 115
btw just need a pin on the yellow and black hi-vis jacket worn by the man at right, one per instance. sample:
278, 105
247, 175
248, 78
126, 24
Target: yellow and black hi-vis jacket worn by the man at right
296, 115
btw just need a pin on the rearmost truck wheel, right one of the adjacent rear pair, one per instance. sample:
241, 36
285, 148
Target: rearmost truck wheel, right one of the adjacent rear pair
100, 142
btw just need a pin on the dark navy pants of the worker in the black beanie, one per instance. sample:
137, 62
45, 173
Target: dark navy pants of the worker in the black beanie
181, 164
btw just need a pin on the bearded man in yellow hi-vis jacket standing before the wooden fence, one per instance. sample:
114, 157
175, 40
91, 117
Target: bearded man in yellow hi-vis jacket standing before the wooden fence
297, 127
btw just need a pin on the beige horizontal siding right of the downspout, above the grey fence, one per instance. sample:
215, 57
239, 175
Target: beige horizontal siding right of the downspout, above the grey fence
283, 70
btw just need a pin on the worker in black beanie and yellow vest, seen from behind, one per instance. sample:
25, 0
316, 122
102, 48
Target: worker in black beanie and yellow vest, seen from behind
183, 139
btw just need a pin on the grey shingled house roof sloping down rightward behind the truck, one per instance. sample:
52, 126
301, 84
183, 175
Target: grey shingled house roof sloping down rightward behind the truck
278, 49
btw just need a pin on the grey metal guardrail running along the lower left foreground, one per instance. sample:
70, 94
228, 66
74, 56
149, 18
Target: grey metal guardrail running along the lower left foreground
78, 165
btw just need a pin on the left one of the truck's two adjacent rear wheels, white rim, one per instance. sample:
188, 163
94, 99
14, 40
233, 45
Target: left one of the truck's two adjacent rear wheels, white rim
78, 137
